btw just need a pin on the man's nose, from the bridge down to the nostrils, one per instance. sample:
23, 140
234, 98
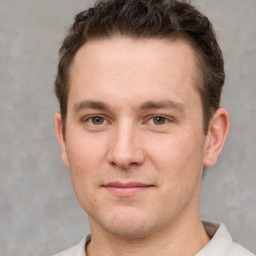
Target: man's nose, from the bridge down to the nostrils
125, 150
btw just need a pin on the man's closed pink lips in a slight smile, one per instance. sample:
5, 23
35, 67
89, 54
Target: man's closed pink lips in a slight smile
126, 189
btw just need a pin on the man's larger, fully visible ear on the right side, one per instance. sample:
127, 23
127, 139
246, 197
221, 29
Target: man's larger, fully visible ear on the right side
216, 136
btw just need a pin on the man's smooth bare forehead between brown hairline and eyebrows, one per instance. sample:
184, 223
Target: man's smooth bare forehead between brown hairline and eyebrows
132, 66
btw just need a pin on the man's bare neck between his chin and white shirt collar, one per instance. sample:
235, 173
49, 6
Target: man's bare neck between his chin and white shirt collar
184, 239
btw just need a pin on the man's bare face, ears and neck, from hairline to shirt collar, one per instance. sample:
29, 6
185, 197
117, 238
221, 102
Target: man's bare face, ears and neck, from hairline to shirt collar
135, 145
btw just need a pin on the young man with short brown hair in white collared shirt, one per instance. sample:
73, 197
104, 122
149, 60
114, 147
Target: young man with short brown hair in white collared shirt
139, 85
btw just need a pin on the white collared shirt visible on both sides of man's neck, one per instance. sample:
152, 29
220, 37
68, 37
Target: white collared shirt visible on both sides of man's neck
221, 244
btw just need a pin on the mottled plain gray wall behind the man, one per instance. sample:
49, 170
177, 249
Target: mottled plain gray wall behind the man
39, 214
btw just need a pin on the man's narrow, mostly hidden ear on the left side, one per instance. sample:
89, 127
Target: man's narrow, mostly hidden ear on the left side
61, 138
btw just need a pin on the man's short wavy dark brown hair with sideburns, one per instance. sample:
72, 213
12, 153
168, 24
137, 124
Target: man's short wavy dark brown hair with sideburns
161, 19
